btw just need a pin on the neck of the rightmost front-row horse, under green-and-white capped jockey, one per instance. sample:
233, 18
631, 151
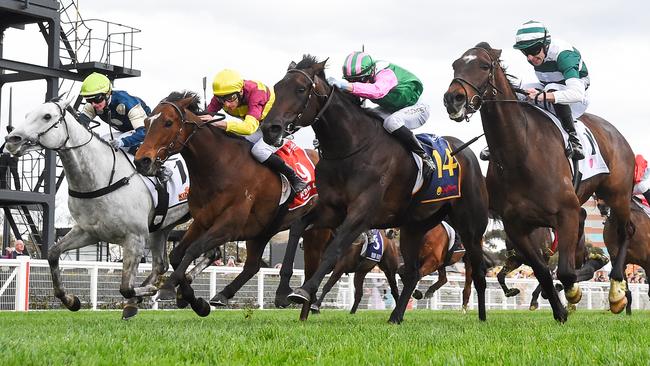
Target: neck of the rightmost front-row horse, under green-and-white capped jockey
504, 121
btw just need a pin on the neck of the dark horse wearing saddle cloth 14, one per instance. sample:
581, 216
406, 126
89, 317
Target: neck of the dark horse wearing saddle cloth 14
344, 127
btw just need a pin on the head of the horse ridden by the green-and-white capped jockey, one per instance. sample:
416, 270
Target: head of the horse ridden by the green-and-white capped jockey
474, 81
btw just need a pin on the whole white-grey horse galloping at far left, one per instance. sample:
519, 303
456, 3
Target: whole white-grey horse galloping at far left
117, 212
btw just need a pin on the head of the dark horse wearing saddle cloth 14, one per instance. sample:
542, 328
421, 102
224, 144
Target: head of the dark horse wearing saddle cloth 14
300, 97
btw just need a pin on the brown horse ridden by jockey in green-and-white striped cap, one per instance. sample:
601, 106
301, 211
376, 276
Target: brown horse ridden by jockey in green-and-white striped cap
529, 177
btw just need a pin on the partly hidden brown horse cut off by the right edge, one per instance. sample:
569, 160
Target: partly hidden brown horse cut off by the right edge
639, 250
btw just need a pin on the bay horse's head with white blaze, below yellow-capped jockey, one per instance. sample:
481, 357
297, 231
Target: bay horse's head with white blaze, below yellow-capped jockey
169, 127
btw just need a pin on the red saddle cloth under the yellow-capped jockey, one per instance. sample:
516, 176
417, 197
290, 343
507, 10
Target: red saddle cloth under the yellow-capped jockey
296, 158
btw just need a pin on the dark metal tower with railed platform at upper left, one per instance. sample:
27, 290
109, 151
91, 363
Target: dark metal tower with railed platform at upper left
75, 48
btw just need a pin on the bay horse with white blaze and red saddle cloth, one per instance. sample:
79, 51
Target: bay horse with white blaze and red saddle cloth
231, 198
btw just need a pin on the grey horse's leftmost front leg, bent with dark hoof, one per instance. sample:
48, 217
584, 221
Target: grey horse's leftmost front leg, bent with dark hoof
75, 239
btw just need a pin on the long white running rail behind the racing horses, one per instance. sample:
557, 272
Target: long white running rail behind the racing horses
25, 284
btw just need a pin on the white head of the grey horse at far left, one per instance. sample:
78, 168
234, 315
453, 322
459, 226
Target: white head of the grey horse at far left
40, 129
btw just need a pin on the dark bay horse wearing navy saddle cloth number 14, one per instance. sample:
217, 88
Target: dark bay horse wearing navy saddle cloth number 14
365, 180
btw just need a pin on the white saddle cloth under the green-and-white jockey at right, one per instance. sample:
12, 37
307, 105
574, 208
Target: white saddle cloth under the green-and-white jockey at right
593, 163
